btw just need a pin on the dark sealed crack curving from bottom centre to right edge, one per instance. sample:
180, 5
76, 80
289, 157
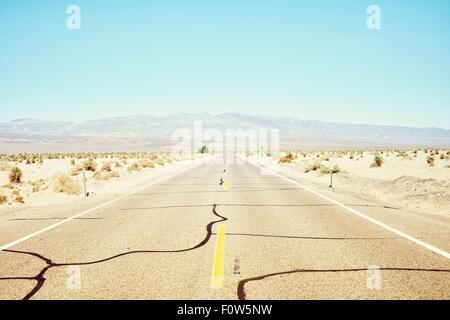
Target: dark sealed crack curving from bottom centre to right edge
242, 295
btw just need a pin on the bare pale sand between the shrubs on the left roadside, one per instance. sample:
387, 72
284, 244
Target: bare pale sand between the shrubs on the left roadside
37, 185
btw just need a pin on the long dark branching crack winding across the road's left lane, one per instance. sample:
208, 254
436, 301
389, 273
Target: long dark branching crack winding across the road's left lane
40, 277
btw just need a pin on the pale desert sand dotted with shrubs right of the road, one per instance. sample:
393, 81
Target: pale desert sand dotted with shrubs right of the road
417, 180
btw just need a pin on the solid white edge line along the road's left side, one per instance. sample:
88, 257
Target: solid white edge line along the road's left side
34, 234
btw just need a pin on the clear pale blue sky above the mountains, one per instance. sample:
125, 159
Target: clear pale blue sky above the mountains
305, 59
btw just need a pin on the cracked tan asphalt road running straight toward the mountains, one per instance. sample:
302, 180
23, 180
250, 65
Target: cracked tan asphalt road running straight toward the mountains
280, 242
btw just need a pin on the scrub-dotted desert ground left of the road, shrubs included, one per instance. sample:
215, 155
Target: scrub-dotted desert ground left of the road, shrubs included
56, 179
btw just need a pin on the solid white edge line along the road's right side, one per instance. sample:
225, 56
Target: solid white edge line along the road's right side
361, 215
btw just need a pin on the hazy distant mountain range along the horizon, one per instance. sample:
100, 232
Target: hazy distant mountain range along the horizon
155, 132
